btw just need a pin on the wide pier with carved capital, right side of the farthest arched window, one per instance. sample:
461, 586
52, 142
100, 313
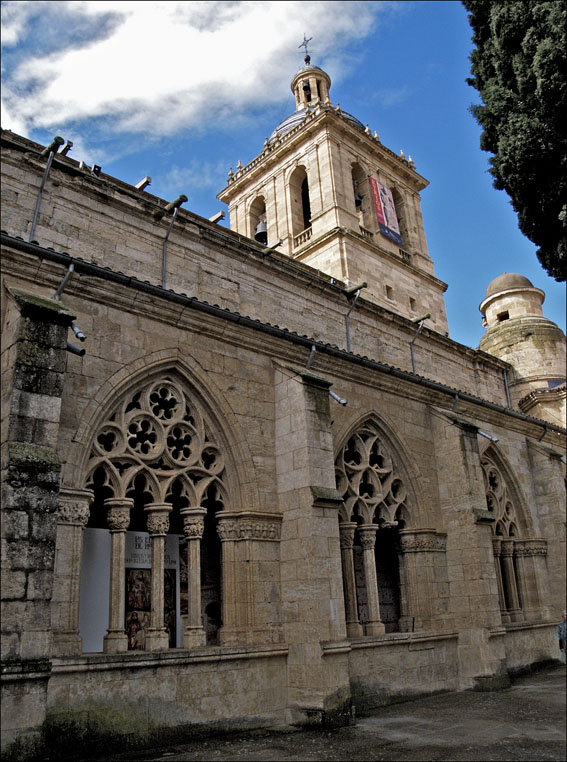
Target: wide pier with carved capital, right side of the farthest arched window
532, 577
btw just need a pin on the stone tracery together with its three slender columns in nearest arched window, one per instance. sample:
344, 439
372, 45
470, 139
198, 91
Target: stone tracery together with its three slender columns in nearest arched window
157, 456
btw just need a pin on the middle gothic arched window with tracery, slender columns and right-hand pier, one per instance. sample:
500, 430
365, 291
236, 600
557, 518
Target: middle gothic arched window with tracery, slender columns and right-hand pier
383, 550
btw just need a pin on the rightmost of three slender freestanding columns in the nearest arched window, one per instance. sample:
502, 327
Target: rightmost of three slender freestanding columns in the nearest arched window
194, 635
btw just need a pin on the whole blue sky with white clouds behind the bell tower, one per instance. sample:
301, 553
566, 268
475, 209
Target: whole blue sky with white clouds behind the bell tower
181, 91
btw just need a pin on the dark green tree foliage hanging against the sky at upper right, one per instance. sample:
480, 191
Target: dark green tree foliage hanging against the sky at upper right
519, 67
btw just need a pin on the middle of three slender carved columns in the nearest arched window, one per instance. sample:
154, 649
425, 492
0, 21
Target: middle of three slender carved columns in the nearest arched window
158, 525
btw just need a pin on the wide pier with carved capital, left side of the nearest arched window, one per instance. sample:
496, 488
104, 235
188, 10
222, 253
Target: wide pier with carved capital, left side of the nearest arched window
72, 517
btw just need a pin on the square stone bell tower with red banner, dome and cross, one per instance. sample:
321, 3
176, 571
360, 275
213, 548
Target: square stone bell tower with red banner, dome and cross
339, 201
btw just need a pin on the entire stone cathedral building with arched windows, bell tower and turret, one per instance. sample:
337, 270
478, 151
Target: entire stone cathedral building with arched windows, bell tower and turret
248, 479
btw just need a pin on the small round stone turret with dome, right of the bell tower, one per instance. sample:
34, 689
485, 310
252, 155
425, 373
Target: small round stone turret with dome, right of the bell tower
519, 333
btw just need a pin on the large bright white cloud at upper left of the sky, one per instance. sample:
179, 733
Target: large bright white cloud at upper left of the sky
166, 66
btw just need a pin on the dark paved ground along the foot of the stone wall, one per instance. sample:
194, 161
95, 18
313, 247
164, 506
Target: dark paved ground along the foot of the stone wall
524, 722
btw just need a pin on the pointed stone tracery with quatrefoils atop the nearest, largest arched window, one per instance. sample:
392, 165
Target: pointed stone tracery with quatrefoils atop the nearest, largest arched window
158, 432
